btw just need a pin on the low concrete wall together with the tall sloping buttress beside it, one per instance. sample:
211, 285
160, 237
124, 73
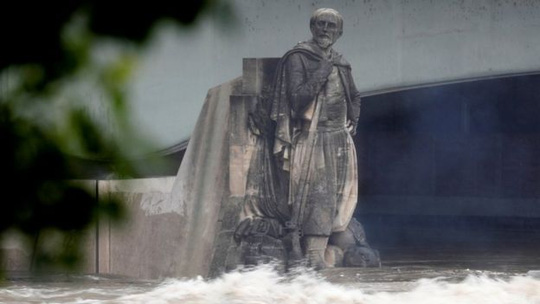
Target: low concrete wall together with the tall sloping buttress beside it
174, 221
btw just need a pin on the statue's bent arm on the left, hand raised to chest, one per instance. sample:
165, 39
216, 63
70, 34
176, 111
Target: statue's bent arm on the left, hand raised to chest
304, 84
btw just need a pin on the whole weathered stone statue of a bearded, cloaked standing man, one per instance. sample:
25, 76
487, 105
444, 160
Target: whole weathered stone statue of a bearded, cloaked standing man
304, 181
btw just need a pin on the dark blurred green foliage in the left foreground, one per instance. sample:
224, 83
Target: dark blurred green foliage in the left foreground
48, 55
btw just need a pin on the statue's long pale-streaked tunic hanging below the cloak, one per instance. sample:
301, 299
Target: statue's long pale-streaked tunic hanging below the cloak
333, 186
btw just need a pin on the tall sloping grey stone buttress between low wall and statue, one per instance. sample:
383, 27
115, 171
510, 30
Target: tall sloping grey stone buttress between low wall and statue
201, 185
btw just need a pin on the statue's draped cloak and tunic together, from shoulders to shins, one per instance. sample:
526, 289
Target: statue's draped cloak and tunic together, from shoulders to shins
332, 186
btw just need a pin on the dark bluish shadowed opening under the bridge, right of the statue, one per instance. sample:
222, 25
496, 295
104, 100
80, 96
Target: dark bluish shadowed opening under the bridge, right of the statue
452, 166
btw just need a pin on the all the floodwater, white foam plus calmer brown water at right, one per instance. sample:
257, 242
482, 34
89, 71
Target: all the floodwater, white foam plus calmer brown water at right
488, 278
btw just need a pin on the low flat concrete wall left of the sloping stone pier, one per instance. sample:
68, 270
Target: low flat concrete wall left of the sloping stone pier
145, 245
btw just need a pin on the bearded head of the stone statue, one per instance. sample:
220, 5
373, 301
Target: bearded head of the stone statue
326, 25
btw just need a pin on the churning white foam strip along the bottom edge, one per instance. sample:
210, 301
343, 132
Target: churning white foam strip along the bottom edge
264, 285
